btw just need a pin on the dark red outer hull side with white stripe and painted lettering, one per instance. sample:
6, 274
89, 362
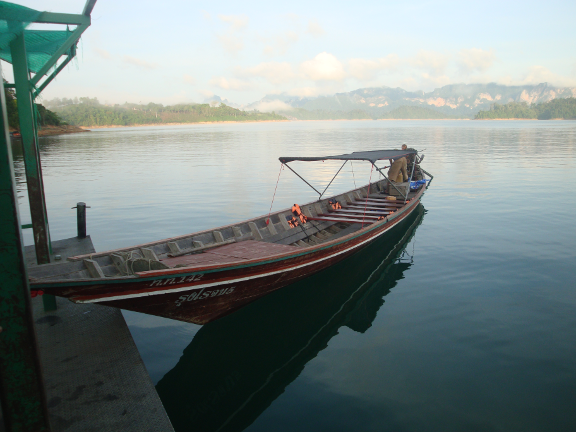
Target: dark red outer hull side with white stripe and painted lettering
204, 293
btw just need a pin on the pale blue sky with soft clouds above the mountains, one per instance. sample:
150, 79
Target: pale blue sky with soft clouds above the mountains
187, 51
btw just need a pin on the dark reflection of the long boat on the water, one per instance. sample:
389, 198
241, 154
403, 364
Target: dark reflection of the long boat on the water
235, 367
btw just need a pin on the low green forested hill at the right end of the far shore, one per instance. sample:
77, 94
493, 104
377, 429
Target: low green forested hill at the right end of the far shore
555, 109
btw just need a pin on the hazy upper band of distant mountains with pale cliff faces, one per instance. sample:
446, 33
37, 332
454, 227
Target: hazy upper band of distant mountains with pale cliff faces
456, 100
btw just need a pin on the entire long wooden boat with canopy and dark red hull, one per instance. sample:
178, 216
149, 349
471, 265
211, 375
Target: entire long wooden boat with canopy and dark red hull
202, 276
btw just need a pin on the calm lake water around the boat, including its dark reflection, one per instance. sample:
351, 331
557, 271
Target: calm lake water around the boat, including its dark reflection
463, 319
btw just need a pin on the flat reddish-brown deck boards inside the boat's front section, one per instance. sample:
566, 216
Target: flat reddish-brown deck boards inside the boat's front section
243, 251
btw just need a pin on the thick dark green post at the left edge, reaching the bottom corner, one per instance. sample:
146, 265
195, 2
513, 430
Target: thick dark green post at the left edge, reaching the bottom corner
21, 385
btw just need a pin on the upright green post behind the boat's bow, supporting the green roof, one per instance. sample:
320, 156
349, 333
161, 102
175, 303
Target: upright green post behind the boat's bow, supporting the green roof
30, 149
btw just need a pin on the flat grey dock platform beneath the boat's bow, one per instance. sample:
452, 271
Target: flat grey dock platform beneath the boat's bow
94, 376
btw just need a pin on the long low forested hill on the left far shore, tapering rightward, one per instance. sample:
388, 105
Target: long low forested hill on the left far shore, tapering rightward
89, 112
